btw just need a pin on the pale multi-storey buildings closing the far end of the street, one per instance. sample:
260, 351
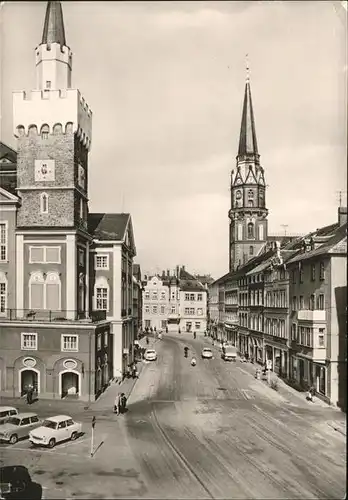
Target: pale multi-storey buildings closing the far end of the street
175, 301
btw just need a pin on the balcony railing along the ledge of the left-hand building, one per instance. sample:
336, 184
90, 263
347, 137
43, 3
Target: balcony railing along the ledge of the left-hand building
48, 315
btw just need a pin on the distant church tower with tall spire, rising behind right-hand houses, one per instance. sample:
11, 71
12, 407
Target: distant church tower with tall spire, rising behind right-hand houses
248, 213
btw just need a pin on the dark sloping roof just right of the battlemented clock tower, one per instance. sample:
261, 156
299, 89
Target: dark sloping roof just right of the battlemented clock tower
108, 226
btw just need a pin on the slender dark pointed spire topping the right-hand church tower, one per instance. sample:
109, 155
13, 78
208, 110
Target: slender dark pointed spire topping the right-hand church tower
247, 138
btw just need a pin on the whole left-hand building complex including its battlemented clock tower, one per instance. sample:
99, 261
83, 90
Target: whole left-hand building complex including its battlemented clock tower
70, 294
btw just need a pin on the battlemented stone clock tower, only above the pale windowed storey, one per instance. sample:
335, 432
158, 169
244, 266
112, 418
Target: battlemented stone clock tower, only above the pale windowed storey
53, 125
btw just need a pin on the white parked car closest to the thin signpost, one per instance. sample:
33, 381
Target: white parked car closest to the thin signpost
54, 430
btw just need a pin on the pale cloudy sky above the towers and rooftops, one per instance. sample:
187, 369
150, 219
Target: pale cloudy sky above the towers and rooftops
165, 82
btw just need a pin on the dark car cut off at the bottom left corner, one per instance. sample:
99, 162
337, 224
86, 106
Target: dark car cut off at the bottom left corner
16, 484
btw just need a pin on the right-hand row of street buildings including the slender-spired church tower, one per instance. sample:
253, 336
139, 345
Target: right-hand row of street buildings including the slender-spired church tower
284, 298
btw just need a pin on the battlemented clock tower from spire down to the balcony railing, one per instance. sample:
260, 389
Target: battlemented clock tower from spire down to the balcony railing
53, 125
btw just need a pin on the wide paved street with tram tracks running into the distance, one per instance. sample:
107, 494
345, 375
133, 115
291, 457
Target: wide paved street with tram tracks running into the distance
209, 431
